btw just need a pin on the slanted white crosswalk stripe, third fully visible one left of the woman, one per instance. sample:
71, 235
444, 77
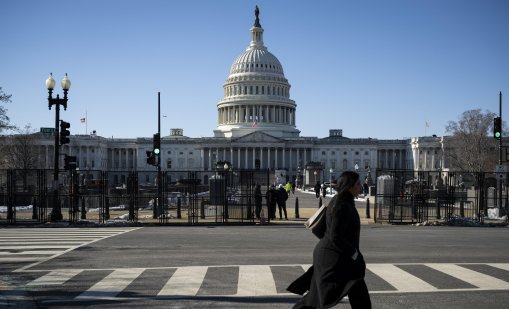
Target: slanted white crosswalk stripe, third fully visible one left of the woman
113, 284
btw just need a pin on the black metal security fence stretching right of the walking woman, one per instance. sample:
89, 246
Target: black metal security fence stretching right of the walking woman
407, 196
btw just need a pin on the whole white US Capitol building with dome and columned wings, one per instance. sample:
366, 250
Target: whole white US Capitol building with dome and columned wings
256, 129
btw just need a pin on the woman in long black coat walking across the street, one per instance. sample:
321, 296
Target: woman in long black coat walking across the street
338, 266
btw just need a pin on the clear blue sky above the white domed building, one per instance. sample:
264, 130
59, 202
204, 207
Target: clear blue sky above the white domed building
373, 68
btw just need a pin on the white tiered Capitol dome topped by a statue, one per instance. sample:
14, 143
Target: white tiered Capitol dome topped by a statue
256, 94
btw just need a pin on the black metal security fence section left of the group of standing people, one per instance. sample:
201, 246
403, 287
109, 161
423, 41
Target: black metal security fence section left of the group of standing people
188, 197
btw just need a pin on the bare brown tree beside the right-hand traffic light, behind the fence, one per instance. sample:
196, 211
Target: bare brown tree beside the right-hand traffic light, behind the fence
471, 148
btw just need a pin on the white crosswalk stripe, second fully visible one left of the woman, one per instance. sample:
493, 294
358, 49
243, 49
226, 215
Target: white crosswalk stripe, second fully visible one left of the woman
186, 281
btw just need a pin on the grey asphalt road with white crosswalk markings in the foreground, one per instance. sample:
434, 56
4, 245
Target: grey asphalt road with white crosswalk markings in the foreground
239, 266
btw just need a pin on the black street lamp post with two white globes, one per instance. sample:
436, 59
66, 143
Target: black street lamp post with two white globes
56, 212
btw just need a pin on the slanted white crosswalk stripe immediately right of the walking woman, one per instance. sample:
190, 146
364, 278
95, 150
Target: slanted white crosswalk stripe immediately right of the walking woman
400, 279
